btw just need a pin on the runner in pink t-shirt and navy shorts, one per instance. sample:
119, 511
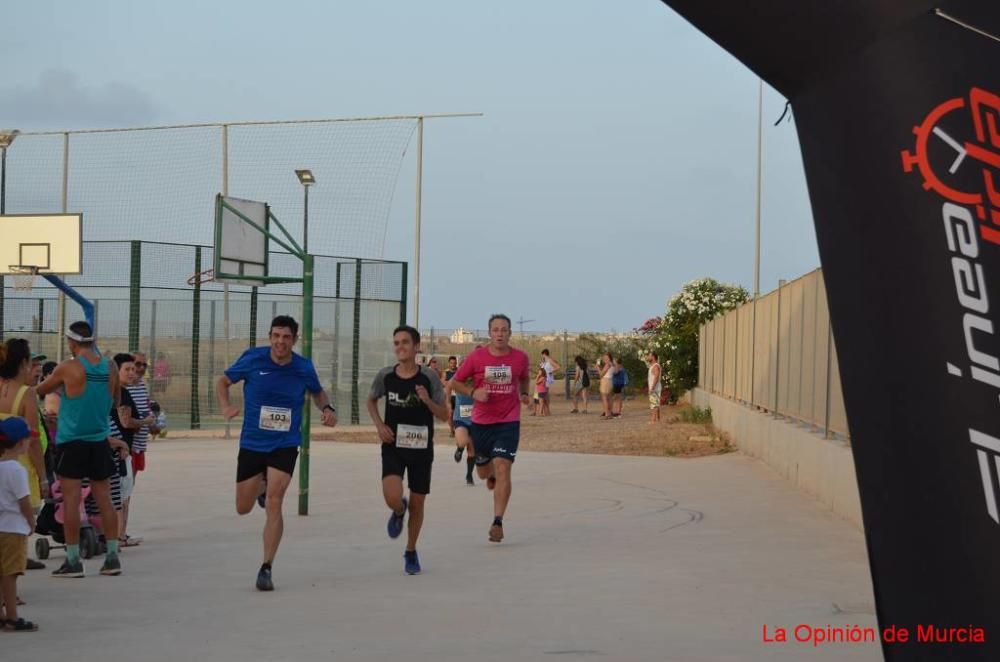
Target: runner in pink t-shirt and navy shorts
500, 381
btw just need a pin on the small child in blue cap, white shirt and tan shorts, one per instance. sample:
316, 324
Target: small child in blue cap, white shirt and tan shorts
17, 519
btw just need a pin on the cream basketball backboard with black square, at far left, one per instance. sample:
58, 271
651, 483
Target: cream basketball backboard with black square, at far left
51, 242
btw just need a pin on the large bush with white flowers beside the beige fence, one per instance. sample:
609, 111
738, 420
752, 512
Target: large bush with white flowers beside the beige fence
674, 337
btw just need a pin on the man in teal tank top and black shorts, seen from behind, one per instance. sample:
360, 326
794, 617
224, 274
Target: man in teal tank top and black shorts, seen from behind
90, 390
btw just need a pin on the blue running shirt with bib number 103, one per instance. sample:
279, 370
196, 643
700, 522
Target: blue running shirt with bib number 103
273, 396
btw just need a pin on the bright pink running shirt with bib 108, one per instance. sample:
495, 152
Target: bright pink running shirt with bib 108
502, 375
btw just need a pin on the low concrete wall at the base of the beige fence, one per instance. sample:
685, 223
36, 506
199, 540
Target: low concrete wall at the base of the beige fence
821, 467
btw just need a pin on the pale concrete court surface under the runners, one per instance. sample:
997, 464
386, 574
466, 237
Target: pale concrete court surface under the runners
615, 558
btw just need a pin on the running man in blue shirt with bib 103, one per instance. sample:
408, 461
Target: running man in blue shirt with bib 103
276, 380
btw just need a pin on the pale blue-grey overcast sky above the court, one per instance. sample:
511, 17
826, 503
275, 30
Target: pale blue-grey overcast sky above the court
615, 161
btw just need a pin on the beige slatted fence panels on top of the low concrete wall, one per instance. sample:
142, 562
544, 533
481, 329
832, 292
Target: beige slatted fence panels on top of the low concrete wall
777, 353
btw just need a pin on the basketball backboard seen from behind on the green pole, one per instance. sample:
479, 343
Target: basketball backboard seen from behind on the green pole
240, 248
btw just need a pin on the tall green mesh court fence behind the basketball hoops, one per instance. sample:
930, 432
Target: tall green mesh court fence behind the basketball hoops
192, 332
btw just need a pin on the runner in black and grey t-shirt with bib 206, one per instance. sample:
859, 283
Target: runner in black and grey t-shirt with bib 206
414, 396
